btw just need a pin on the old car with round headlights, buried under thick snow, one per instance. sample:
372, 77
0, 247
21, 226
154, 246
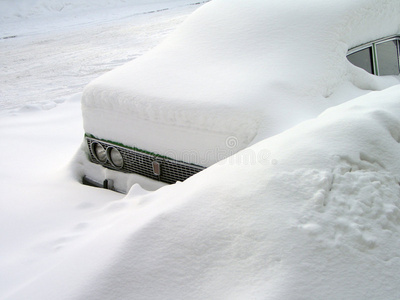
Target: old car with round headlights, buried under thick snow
234, 73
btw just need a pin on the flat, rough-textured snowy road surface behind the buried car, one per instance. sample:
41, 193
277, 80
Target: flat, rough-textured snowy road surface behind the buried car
44, 64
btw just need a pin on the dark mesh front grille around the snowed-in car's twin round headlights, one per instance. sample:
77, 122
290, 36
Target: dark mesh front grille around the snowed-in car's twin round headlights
147, 164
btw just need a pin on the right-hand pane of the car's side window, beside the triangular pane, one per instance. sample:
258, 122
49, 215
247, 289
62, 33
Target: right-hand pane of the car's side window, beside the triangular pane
388, 59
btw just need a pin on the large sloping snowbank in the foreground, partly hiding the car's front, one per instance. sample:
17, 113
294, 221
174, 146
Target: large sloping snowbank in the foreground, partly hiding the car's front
314, 211
